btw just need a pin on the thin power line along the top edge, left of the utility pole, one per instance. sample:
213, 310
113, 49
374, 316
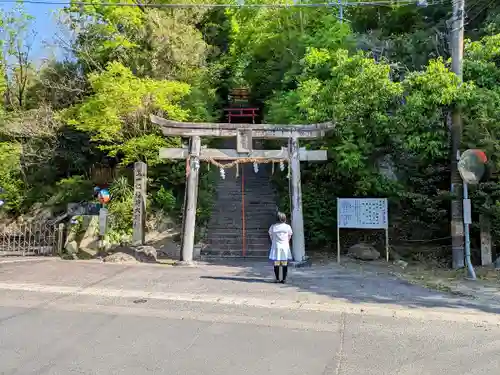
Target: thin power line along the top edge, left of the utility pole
421, 3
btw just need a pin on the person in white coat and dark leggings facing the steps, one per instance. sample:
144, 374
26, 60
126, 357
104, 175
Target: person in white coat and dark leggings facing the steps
280, 234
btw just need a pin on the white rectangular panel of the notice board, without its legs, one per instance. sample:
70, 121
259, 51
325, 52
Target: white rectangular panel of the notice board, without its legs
362, 213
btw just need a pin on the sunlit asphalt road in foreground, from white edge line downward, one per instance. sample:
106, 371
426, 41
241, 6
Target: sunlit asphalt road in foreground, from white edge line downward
49, 333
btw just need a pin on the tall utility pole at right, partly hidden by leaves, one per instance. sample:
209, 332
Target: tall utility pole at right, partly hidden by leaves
457, 222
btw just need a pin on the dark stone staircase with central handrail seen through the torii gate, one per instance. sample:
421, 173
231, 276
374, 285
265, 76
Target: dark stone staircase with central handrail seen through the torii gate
225, 228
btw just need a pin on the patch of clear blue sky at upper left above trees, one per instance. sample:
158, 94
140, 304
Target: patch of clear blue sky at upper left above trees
44, 25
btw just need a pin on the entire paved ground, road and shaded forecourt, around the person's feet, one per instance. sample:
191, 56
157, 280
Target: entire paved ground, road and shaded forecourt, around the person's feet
69, 318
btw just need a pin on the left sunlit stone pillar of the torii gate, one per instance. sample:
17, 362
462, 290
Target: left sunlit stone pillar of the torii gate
191, 198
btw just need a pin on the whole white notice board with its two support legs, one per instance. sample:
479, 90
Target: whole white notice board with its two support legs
354, 220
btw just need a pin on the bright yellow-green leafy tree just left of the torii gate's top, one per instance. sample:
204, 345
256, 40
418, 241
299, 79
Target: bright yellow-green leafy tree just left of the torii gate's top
117, 115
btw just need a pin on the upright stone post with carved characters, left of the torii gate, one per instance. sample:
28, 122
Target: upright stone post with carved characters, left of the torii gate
139, 213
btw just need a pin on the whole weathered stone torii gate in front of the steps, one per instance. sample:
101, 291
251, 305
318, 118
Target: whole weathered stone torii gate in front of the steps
244, 133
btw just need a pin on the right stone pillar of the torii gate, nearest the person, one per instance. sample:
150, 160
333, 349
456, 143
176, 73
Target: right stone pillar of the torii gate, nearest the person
298, 240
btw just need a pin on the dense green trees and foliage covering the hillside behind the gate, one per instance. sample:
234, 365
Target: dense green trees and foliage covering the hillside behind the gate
382, 75
